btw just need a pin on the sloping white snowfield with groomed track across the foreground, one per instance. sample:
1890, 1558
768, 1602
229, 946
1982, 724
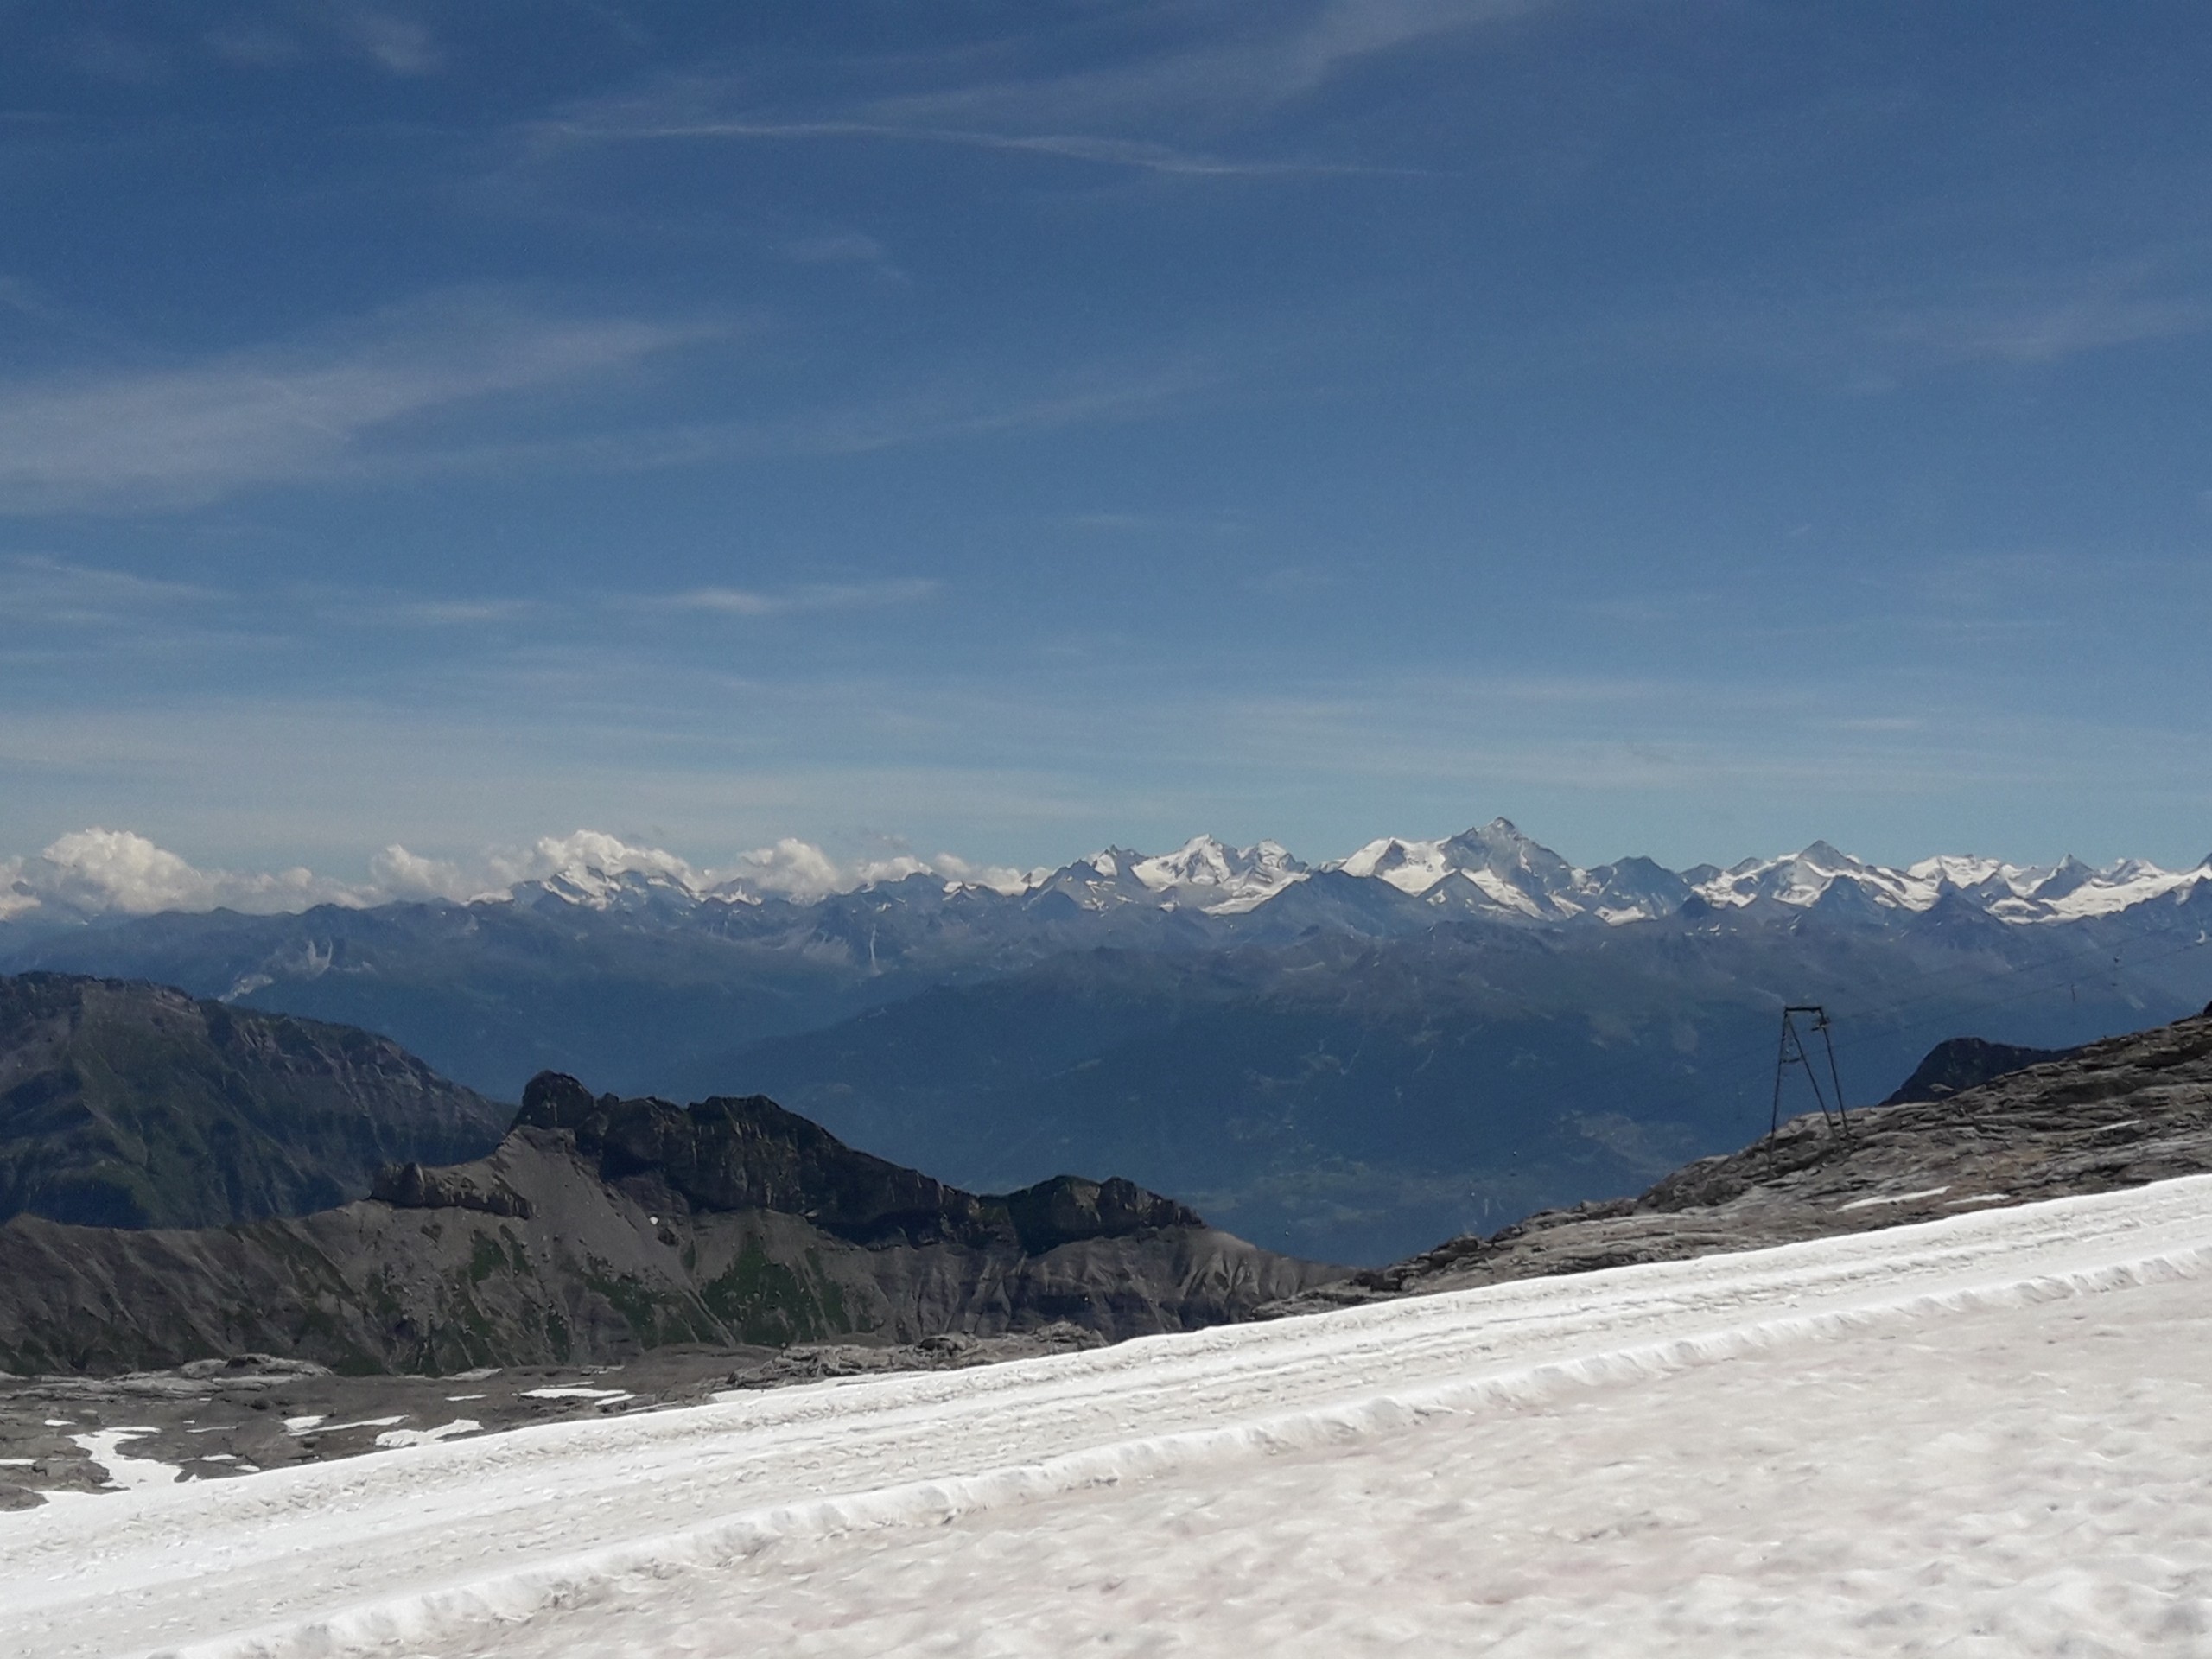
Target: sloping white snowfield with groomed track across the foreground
1976, 1437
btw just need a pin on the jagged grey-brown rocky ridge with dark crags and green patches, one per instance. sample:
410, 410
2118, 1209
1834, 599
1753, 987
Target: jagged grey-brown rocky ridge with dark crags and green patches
603, 1229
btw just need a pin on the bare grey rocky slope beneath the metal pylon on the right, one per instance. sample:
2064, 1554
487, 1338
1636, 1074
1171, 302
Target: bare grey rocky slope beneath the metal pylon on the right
2109, 1116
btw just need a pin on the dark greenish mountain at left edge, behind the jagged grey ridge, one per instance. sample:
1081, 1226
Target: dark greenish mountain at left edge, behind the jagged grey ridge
138, 1107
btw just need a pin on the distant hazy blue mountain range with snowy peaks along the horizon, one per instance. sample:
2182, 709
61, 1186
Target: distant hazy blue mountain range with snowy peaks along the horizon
1344, 1063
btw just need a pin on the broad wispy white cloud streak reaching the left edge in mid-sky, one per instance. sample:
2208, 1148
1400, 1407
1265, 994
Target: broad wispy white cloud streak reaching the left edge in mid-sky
185, 437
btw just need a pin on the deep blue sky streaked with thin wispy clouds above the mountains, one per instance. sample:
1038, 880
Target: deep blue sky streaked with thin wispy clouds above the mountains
1016, 428
